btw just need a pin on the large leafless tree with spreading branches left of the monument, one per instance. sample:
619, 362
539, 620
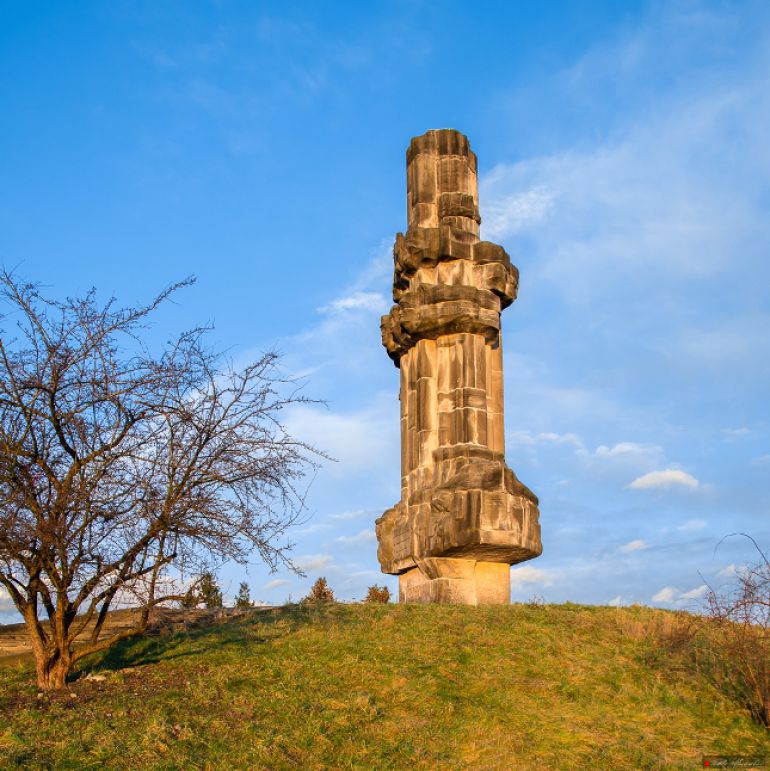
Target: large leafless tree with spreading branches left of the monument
121, 470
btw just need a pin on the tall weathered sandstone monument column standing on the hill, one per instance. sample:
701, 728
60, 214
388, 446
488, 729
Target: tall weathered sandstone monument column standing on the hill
463, 517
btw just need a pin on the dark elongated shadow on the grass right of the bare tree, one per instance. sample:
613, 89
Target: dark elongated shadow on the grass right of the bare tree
254, 628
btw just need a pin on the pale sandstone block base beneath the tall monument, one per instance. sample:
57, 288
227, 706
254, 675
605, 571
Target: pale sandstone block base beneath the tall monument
457, 582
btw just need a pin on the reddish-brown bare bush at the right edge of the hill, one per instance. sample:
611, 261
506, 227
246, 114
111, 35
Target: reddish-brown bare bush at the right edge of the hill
741, 620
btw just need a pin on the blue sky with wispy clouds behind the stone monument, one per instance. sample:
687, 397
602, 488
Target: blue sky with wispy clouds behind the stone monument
624, 165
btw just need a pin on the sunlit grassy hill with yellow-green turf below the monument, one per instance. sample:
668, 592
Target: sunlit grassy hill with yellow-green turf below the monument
369, 687
